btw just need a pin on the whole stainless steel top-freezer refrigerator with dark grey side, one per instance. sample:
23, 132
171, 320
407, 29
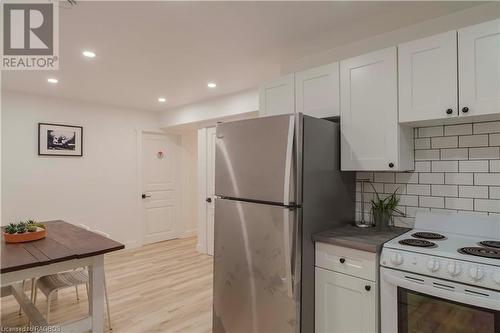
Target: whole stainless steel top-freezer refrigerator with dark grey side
277, 181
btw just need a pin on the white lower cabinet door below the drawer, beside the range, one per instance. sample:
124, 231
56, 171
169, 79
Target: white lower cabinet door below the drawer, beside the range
344, 303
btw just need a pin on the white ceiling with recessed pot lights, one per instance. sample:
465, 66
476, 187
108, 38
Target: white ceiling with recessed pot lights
150, 49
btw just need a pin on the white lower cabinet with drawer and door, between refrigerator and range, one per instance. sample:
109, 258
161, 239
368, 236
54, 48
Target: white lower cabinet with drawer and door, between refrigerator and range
345, 303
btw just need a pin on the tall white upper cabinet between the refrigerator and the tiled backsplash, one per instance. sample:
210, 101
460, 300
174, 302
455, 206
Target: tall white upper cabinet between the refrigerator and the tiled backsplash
371, 138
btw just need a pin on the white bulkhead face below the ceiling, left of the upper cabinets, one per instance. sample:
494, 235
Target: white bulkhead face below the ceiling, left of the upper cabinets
236, 104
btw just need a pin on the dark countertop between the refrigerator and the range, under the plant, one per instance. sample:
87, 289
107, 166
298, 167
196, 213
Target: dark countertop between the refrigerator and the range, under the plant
365, 239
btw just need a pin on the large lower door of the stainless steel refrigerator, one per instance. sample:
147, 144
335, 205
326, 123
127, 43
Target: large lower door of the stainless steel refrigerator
253, 264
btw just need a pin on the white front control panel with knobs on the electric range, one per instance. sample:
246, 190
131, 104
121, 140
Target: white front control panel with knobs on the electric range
486, 276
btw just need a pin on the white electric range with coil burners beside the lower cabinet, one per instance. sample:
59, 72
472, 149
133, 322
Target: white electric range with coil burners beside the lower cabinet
442, 276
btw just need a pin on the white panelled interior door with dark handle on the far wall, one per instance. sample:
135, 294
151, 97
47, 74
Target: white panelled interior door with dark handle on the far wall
160, 155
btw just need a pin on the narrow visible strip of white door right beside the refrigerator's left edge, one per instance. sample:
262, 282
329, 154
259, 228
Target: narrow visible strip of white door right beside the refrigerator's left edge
210, 176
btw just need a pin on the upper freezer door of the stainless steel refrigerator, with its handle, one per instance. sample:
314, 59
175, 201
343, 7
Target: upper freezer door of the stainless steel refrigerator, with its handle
254, 159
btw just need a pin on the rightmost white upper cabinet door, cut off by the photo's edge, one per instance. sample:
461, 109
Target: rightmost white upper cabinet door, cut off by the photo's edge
479, 69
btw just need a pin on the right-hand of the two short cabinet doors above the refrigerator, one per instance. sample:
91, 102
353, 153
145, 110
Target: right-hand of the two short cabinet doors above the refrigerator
317, 91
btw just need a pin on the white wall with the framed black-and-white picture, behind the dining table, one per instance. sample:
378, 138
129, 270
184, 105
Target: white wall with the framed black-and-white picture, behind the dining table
98, 189
